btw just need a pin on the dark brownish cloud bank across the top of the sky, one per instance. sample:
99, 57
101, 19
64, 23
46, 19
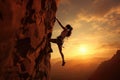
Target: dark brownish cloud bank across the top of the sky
88, 8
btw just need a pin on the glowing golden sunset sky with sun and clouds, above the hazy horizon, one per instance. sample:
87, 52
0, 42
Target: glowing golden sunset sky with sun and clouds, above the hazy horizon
96, 28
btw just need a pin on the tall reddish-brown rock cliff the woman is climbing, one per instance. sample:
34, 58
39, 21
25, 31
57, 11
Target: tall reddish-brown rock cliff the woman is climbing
25, 30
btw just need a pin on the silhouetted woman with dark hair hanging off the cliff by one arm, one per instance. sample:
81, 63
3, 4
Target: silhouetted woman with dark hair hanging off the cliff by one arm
67, 30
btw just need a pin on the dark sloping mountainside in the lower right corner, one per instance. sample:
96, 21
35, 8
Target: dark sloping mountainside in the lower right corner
108, 70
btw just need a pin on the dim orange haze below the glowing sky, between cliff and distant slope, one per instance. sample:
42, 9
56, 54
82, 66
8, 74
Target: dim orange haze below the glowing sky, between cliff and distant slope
75, 68
